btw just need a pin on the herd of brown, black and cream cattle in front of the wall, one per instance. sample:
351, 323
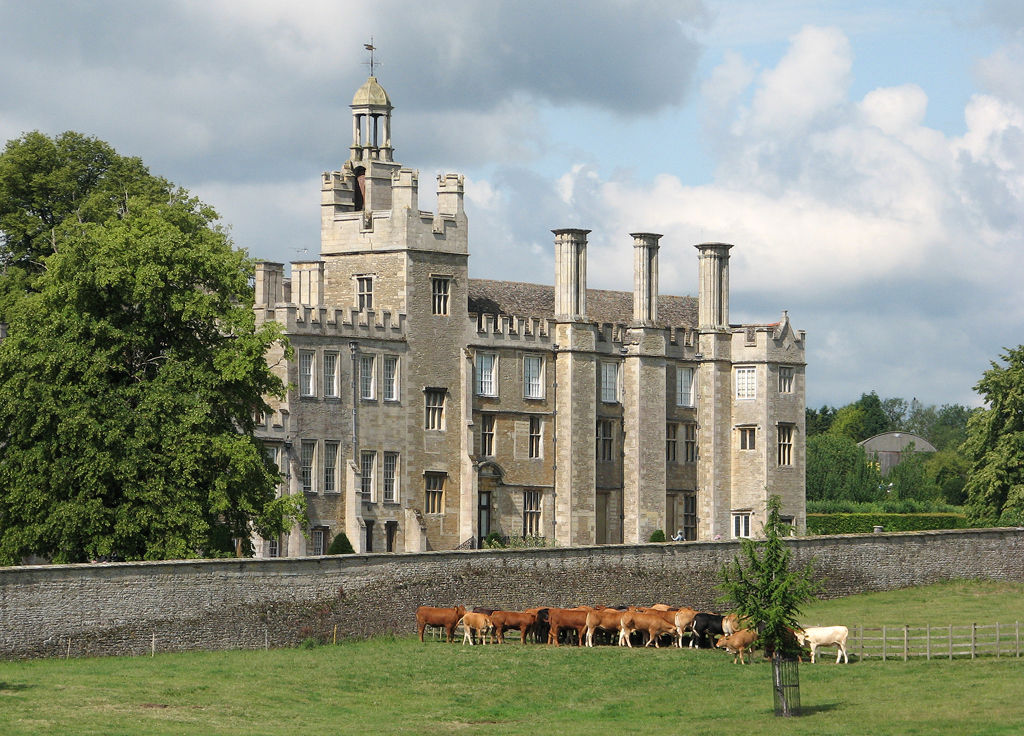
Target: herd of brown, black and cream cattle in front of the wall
648, 625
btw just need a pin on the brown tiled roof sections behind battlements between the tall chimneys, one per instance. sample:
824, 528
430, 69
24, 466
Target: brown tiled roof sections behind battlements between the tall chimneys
538, 300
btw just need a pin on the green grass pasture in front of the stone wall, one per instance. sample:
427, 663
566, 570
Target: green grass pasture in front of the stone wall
400, 686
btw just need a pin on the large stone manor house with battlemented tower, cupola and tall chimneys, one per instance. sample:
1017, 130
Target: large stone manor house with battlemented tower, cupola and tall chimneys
429, 410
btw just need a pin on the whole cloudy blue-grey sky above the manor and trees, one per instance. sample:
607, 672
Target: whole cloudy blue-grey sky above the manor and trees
865, 158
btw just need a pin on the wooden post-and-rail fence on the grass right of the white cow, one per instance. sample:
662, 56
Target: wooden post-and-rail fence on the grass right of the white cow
950, 642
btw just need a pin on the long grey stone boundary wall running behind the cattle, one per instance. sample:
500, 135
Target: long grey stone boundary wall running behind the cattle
136, 609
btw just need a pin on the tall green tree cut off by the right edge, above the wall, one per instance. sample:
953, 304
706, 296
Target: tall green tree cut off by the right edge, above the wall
995, 445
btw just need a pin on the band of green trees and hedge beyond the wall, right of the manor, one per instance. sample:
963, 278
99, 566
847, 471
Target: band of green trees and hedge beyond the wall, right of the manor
979, 463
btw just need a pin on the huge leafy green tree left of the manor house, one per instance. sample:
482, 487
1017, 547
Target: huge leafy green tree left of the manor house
133, 369
